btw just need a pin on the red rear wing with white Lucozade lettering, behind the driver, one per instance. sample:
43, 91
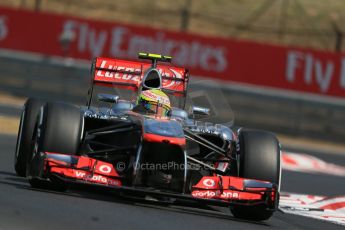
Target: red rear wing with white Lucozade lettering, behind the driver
117, 73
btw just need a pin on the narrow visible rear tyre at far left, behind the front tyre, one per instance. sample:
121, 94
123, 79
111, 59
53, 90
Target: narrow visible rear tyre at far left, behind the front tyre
25, 133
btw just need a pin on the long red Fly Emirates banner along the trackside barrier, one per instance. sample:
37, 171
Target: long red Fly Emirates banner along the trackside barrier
297, 69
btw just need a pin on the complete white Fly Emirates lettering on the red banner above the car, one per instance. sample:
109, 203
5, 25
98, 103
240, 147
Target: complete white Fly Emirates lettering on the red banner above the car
121, 41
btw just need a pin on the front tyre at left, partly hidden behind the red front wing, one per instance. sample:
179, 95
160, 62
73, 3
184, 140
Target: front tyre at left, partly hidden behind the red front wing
58, 129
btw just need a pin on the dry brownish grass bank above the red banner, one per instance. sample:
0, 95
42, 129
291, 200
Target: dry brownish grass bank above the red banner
306, 23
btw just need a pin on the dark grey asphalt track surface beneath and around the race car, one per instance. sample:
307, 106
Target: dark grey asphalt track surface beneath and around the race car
24, 208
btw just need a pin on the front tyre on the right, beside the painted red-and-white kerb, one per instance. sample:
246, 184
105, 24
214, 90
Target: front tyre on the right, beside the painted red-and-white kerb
259, 159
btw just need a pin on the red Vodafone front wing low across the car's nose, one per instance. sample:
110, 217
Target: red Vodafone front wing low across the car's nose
213, 190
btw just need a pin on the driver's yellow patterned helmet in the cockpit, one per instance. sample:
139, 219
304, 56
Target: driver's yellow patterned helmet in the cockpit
154, 101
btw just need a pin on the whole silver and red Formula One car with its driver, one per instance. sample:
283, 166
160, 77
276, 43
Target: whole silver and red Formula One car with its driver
150, 144
